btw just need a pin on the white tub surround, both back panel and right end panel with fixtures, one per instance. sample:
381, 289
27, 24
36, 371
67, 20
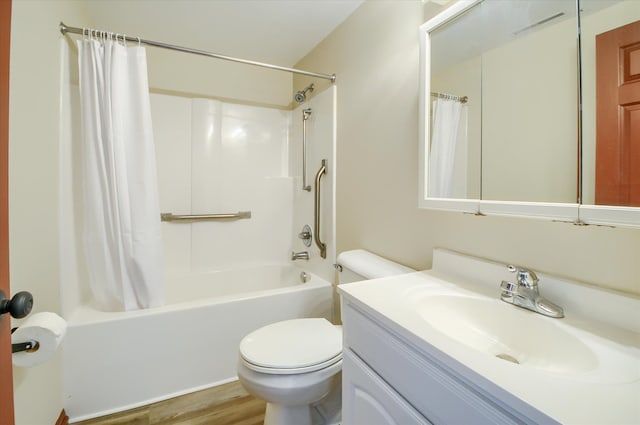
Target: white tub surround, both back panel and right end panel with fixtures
219, 157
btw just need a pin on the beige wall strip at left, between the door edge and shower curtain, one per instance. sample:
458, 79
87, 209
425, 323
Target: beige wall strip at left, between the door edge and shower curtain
33, 186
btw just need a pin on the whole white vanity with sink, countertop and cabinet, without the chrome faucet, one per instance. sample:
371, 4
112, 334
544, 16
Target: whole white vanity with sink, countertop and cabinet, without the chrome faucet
440, 347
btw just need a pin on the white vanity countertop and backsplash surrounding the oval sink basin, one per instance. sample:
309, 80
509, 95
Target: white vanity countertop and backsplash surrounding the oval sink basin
606, 394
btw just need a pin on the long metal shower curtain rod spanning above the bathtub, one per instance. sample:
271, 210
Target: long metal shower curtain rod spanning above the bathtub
64, 29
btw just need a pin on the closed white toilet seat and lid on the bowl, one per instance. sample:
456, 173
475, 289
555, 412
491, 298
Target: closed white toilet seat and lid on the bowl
292, 346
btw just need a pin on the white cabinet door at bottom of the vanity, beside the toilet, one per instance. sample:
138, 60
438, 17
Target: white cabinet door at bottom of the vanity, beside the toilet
367, 399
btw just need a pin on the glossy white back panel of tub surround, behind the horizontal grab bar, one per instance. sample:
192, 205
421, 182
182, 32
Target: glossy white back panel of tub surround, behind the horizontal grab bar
219, 157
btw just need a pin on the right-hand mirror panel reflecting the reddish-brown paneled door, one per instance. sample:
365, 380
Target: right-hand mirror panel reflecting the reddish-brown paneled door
611, 101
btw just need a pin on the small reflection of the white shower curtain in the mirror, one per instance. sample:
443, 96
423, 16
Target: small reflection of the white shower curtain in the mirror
447, 156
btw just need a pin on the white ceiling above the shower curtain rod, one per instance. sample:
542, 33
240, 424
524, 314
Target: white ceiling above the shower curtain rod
280, 32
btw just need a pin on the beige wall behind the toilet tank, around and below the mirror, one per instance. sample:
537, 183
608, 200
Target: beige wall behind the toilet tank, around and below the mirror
375, 56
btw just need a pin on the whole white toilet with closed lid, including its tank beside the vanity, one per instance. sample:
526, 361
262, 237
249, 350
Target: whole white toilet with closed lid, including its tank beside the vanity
294, 364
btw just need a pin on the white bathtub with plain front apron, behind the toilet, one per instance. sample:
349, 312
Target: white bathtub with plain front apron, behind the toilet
117, 361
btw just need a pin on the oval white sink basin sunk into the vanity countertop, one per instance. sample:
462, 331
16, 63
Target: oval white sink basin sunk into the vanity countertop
507, 332
